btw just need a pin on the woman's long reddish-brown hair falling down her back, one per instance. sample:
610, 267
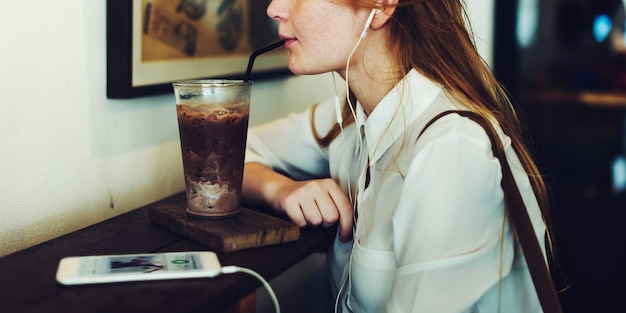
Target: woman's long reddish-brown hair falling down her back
433, 37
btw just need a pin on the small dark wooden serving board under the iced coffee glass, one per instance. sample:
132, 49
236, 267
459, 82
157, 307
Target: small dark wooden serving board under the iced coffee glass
249, 229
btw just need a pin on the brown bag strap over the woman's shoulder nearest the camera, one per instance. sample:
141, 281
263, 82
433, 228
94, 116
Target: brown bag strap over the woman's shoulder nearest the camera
518, 215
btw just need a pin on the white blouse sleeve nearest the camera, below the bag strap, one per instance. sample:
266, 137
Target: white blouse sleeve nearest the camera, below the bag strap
447, 227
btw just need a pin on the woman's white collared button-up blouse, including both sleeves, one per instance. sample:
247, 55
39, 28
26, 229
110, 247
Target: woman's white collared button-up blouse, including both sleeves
429, 225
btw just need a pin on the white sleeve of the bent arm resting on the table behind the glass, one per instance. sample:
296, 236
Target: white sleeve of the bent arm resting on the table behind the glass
287, 145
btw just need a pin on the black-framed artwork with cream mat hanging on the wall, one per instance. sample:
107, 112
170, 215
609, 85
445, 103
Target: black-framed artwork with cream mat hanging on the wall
151, 43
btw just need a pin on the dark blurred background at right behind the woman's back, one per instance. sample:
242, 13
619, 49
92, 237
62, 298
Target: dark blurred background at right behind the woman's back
575, 142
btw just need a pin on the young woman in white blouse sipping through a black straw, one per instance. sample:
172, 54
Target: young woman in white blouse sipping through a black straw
422, 225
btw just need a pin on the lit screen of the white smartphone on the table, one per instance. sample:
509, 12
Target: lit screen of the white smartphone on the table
140, 264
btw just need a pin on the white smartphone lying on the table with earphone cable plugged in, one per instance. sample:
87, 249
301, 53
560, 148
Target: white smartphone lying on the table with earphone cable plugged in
79, 270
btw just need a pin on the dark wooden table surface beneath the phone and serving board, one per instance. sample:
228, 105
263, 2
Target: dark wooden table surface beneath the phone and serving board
27, 278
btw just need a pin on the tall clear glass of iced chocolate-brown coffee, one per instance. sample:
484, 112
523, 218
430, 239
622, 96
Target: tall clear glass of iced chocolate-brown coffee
213, 128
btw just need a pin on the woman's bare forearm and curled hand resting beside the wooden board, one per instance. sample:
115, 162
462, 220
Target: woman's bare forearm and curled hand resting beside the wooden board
312, 202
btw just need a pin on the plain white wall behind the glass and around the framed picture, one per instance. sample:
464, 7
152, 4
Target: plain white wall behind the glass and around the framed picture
70, 157
